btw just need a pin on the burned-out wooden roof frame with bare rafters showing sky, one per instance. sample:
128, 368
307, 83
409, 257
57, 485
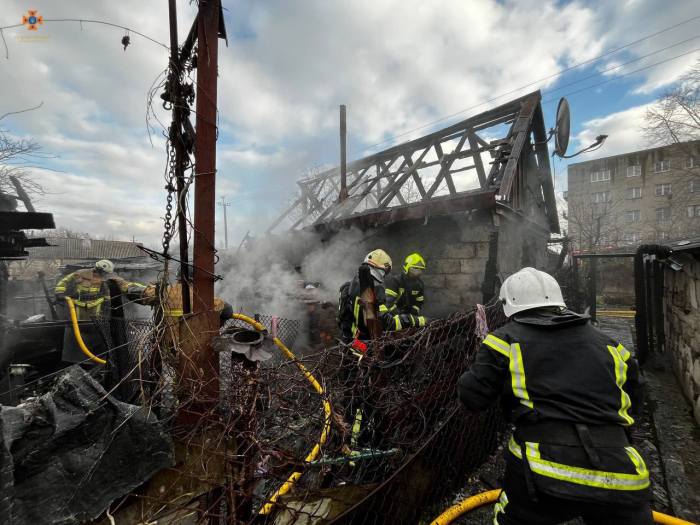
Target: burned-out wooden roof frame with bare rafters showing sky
419, 178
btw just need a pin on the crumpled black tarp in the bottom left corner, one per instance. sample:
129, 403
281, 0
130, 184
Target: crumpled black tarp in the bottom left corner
65, 456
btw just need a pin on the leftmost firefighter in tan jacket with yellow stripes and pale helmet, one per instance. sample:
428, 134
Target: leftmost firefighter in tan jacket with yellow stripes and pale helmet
88, 289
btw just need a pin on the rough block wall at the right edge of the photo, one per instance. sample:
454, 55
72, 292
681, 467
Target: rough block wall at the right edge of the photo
682, 326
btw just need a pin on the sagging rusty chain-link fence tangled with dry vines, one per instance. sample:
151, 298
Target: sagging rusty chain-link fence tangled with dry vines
337, 436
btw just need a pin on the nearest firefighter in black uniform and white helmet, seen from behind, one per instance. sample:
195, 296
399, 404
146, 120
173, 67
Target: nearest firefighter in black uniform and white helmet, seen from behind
573, 393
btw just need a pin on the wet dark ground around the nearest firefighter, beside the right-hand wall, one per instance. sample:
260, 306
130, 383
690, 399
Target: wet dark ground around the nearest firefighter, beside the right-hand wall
666, 436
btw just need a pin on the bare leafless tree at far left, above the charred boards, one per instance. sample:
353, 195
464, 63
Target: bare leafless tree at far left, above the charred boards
17, 156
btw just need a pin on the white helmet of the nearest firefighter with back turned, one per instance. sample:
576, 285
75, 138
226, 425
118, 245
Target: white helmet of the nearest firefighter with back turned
528, 289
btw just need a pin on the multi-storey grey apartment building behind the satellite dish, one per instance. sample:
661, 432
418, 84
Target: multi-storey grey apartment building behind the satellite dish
643, 196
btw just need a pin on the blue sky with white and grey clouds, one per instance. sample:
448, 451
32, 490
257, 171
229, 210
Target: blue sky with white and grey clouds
396, 65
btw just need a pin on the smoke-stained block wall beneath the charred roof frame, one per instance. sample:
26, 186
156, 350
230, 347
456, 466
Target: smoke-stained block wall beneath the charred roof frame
456, 249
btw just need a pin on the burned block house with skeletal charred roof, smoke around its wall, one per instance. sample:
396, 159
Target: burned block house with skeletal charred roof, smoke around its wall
476, 199
